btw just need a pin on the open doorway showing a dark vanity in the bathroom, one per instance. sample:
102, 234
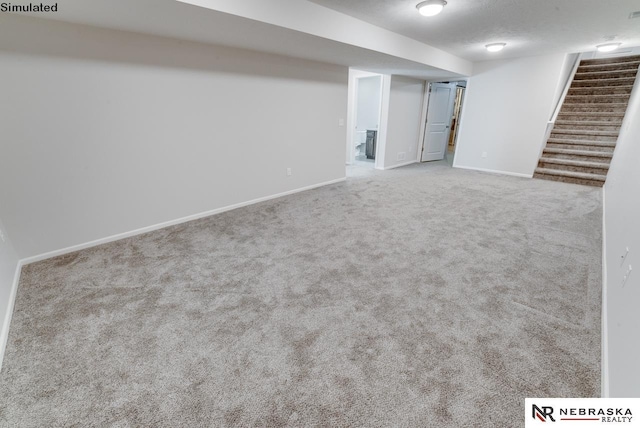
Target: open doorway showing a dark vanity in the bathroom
362, 146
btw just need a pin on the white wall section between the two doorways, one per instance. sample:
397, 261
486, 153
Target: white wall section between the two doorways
403, 121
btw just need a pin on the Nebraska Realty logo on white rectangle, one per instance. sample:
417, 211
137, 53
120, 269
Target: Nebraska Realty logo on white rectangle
582, 411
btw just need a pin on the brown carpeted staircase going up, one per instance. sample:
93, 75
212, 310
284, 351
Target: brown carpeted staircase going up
584, 136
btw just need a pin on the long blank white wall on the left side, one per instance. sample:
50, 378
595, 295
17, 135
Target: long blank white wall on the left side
103, 132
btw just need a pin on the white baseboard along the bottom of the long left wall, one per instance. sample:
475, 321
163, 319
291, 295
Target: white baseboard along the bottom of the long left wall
146, 229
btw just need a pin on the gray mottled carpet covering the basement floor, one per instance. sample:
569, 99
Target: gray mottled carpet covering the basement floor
420, 296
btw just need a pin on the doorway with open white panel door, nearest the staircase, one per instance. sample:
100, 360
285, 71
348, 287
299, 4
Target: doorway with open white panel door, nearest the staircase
444, 106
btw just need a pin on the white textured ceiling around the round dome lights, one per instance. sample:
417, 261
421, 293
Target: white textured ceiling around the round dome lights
529, 27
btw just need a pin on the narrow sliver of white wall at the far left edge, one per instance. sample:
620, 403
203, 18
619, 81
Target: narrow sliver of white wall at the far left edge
9, 266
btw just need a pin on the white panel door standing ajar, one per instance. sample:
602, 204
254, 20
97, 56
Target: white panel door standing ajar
439, 113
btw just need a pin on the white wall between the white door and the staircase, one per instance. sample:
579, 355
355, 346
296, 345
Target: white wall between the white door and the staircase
505, 112
